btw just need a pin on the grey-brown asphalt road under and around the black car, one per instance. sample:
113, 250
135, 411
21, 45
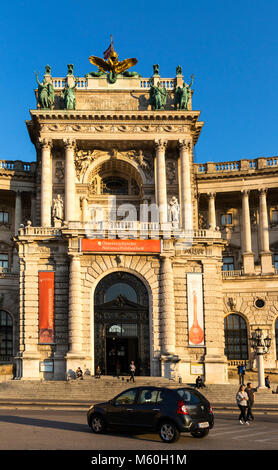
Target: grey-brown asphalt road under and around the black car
68, 430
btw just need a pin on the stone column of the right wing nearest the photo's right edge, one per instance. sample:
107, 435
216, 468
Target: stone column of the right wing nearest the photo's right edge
266, 257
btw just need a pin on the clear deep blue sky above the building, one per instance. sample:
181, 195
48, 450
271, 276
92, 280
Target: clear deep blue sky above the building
231, 47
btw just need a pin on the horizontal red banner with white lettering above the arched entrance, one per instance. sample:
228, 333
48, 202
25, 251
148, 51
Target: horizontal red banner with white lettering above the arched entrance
117, 245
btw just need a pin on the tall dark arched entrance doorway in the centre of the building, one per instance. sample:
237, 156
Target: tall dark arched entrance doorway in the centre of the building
122, 324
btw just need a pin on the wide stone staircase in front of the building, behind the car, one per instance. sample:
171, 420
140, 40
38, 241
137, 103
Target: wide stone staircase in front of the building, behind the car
93, 390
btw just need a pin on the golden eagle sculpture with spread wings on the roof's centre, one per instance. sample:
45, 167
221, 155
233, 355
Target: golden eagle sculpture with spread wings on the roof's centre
112, 66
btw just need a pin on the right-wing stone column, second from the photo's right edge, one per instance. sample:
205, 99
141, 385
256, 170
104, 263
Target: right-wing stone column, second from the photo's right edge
248, 255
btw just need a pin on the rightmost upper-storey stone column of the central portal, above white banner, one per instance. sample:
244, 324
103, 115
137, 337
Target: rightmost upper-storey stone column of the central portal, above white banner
185, 184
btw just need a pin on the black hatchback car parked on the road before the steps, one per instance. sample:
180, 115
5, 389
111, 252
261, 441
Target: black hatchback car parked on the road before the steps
168, 411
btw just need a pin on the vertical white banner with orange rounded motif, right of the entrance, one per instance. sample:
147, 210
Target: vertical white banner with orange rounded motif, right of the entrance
195, 309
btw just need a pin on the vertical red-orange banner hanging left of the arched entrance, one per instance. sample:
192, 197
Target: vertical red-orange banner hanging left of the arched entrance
46, 307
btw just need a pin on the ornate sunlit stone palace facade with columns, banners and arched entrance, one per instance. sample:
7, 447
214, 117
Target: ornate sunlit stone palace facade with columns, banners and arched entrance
118, 247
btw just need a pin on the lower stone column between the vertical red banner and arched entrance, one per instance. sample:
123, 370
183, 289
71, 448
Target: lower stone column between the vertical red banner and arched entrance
74, 355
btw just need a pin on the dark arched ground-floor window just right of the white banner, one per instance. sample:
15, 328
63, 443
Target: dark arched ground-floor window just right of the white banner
236, 340
